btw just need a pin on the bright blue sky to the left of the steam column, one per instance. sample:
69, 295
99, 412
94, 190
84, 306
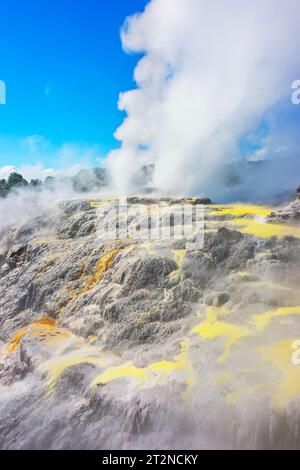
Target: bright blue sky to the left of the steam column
64, 67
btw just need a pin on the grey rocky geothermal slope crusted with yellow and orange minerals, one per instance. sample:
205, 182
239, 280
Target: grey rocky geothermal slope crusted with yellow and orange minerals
122, 344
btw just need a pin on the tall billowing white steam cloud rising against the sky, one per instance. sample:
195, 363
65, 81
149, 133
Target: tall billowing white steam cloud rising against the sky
210, 71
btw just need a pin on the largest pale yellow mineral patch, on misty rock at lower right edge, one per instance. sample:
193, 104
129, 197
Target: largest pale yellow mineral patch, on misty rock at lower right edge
282, 383
